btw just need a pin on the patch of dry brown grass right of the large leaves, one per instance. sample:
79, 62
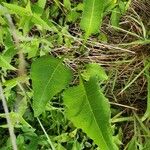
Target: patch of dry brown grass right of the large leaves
122, 63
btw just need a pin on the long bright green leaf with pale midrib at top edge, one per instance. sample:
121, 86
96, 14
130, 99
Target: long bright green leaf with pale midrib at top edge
92, 16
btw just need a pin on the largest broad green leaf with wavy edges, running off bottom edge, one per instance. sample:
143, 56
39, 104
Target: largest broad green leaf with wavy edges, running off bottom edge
89, 110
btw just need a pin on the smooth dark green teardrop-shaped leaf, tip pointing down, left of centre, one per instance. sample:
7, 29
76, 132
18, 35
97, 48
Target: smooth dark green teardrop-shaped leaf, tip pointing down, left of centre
49, 76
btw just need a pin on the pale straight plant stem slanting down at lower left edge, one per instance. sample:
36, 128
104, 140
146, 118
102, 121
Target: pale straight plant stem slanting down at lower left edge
10, 126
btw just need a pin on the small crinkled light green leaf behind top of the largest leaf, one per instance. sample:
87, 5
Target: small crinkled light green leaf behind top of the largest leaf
94, 69
